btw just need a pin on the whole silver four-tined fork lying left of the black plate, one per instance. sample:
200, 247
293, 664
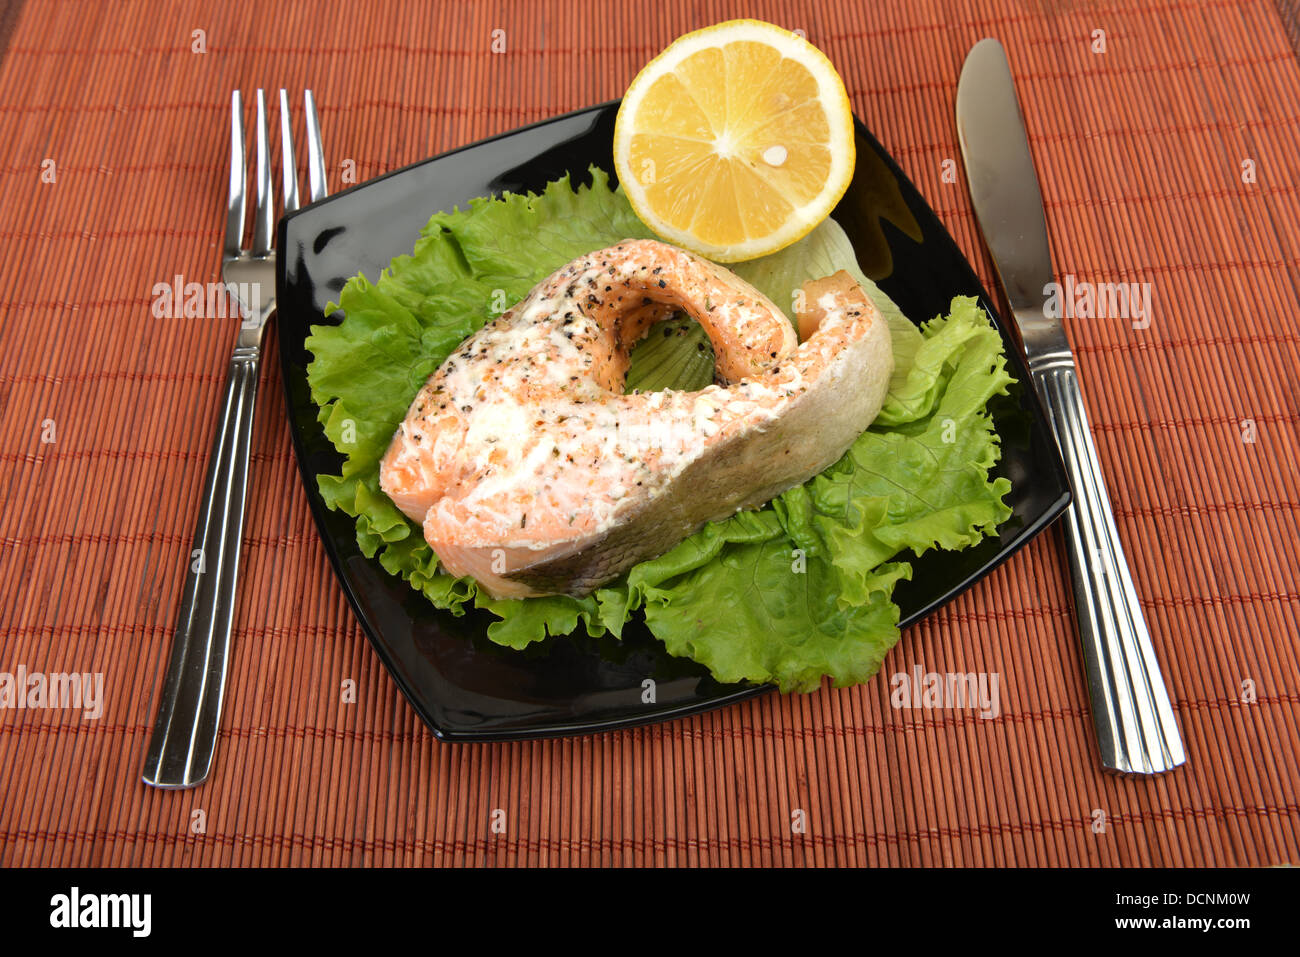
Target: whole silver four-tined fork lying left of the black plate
185, 734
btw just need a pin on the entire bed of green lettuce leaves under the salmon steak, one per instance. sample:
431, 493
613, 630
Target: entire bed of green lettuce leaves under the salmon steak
791, 594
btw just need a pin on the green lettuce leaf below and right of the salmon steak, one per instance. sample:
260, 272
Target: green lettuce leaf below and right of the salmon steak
807, 583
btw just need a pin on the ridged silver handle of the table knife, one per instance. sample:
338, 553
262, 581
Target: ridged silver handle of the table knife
1130, 705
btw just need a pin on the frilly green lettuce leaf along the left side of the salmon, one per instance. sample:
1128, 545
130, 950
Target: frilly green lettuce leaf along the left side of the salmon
469, 267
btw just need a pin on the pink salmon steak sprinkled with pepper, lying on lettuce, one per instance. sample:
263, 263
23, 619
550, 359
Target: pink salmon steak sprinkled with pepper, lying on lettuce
530, 469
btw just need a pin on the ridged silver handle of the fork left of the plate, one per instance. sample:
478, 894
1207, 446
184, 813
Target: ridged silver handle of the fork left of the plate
185, 733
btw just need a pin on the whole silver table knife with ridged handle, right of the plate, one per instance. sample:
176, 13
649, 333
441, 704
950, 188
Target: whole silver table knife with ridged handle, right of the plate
1136, 725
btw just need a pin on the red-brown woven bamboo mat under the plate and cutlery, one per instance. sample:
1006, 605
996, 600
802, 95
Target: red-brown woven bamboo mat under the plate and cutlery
1141, 151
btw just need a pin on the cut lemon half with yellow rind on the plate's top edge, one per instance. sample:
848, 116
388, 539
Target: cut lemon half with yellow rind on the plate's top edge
736, 141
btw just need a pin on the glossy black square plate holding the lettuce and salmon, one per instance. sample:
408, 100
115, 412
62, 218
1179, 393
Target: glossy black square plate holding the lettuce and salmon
470, 690
